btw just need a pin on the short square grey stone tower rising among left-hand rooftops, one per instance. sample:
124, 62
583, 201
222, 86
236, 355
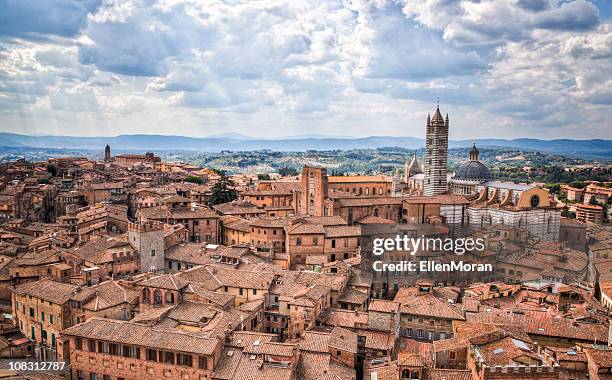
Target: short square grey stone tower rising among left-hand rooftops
147, 238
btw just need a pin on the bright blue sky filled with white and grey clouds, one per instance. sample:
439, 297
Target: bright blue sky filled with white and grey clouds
268, 68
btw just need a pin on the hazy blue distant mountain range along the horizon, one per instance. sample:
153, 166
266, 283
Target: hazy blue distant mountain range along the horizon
596, 148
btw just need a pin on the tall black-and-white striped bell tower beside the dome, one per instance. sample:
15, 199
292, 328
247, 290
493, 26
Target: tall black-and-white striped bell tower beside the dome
436, 154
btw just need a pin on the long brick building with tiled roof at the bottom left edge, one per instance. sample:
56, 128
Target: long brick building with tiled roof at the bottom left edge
104, 349
